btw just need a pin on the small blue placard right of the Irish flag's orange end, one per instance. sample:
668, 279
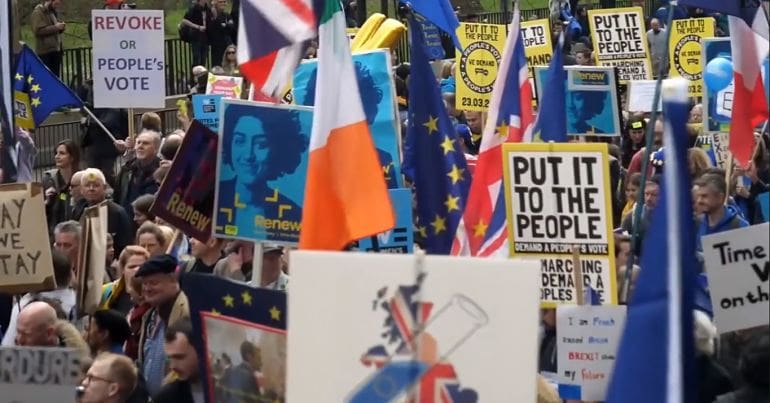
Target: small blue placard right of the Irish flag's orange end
401, 238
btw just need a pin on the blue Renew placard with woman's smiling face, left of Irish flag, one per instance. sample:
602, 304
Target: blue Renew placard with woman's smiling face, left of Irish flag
261, 171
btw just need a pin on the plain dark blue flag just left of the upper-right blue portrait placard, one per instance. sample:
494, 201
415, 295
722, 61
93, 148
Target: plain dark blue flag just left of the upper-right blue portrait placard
552, 120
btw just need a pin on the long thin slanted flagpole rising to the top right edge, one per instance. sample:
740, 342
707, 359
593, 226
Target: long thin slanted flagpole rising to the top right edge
647, 152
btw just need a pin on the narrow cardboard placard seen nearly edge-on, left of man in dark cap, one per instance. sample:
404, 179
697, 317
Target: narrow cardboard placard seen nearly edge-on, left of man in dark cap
92, 258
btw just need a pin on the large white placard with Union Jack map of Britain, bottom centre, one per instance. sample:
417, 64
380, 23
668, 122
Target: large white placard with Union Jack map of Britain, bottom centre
458, 310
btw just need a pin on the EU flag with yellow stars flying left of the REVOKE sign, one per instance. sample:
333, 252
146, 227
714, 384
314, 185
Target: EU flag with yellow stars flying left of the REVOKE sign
37, 91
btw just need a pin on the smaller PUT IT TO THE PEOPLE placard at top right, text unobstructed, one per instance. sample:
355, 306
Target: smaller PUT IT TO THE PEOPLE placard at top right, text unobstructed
620, 41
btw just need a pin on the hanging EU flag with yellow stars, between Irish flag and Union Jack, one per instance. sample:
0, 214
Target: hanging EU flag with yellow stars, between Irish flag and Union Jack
433, 154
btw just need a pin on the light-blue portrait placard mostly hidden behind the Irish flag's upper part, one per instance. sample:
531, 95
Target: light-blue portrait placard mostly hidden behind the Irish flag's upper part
375, 82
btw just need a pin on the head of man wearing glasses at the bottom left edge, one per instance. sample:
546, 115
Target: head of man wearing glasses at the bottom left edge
111, 379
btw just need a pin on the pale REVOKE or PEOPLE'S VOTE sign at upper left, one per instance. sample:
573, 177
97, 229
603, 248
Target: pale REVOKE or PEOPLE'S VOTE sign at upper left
128, 59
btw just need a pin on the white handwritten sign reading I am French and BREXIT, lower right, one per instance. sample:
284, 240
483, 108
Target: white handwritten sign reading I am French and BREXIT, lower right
587, 343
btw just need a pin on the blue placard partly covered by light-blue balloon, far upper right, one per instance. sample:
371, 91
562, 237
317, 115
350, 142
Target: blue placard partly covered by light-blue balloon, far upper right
717, 105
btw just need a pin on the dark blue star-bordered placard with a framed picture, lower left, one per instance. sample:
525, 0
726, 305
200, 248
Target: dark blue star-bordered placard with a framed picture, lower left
242, 331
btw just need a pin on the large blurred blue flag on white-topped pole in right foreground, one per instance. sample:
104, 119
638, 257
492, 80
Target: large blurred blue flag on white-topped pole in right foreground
658, 333
